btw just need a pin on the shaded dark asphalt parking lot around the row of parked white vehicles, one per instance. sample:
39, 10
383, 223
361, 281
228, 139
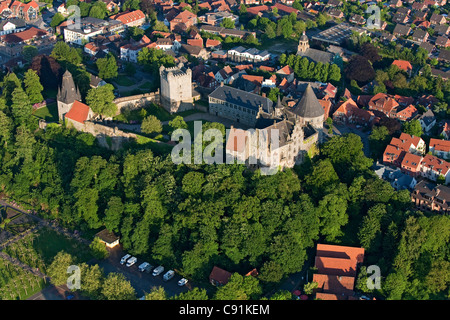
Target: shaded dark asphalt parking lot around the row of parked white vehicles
141, 281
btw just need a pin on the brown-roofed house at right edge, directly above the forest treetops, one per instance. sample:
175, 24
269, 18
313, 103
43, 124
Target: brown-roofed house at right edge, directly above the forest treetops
432, 197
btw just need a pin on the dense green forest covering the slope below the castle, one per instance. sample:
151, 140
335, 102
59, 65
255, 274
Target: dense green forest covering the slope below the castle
192, 217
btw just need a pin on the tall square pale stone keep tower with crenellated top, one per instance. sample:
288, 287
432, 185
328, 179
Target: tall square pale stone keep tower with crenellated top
176, 88
